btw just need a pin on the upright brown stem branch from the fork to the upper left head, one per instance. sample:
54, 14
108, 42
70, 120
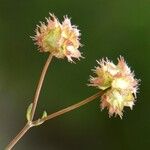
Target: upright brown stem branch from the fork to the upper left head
40, 83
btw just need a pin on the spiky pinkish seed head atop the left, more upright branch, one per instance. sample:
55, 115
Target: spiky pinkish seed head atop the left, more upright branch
60, 39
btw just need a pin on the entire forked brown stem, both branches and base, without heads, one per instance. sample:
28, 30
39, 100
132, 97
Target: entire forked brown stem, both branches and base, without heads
53, 115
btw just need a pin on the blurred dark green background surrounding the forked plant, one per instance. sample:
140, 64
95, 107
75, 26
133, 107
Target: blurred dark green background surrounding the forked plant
109, 28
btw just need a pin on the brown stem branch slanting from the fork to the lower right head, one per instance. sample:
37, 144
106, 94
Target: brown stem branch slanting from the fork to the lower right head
70, 108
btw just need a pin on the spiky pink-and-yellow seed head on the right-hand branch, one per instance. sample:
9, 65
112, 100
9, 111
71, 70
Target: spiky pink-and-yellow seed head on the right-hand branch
119, 83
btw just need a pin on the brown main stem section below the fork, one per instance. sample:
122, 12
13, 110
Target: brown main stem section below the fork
18, 137
